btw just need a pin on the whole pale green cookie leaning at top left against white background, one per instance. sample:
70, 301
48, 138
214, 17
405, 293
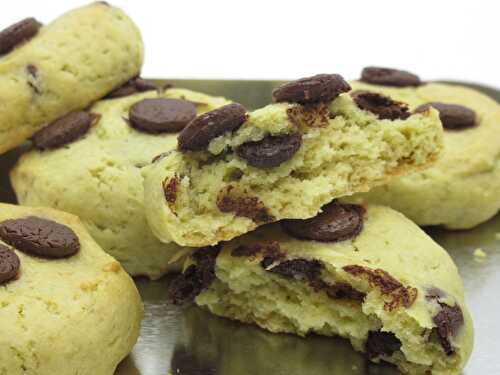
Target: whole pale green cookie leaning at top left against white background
49, 71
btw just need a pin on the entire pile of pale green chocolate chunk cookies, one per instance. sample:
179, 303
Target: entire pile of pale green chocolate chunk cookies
277, 216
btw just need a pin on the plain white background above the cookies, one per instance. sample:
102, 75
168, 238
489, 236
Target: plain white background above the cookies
289, 39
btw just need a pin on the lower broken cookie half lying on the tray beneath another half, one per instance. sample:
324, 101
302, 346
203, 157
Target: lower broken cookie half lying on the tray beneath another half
388, 288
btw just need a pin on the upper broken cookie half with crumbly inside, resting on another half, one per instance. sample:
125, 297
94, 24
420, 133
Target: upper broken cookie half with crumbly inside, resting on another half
235, 170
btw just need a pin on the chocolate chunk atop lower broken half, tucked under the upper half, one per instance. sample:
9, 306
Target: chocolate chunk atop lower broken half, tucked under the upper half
337, 222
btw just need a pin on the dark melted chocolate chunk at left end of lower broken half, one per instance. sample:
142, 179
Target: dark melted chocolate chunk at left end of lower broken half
185, 287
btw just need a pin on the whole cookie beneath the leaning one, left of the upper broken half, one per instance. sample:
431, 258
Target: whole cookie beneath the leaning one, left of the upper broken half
97, 176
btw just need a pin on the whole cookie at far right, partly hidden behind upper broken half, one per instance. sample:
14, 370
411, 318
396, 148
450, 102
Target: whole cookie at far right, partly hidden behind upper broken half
460, 190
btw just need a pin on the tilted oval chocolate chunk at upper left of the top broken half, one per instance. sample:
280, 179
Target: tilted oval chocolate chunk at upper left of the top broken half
198, 133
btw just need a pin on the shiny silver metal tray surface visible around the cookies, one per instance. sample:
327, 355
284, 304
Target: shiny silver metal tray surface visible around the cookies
192, 342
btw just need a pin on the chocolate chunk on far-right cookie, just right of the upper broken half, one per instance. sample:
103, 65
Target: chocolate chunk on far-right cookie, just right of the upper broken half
453, 116
